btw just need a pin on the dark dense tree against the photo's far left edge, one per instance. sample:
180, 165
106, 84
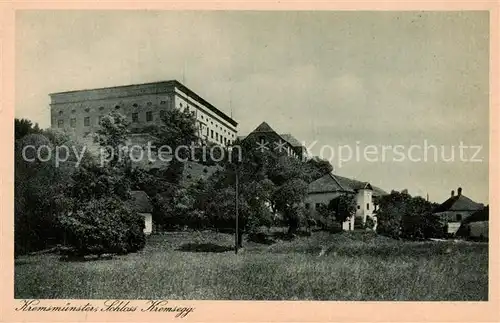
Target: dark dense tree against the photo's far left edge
38, 184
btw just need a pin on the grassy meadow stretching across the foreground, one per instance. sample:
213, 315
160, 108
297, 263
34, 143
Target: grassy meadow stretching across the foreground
324, 266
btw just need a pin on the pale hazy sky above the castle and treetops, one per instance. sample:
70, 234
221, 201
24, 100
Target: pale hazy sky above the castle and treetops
329, 78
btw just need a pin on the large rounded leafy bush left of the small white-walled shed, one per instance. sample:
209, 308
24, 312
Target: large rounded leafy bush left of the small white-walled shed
101, 226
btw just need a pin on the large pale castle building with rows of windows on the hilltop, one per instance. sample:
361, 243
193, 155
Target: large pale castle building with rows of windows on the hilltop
79, 111
